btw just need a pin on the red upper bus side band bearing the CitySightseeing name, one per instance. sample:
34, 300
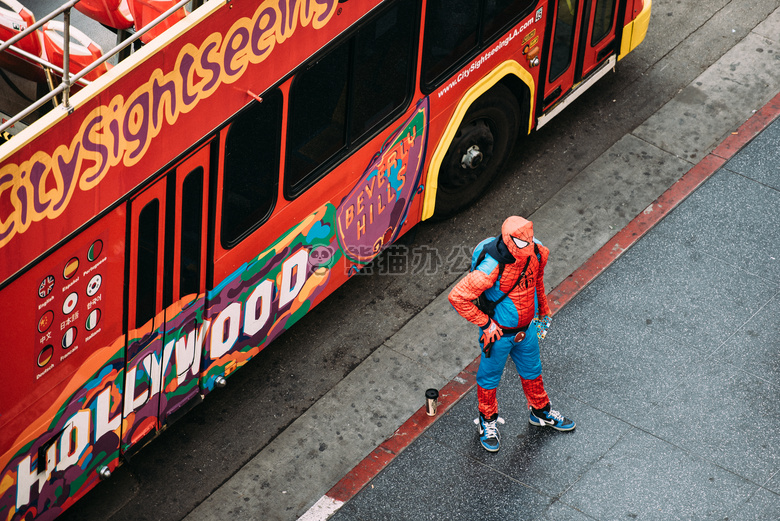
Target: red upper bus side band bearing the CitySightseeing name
175, 93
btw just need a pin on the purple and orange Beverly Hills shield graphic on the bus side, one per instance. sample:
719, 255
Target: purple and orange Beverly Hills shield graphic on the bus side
370, 217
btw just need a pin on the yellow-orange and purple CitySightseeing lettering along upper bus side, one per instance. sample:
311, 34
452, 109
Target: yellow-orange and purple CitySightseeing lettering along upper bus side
121, 131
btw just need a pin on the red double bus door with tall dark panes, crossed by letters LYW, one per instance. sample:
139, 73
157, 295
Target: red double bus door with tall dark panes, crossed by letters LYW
166, 297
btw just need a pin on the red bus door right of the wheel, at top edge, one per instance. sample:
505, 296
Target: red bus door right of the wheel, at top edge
584, 35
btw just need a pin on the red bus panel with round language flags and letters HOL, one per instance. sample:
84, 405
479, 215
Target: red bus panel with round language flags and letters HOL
61, 409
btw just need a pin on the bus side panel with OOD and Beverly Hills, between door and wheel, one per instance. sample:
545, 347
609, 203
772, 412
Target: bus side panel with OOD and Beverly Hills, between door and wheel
268, 294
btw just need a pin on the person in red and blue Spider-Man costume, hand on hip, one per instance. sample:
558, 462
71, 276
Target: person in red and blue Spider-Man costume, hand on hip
516, 324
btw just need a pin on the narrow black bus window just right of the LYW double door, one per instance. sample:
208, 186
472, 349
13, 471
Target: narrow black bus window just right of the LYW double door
251, 169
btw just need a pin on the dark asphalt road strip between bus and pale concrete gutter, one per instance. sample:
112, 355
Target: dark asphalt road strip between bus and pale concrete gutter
177, 471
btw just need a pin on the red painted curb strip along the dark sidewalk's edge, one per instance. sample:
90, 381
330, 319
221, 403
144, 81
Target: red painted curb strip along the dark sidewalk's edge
380, 457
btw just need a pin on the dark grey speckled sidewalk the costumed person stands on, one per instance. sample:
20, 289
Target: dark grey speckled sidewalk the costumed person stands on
668, 363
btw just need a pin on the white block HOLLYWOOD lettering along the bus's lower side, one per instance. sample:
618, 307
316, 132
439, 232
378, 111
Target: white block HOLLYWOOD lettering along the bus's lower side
103, 414
